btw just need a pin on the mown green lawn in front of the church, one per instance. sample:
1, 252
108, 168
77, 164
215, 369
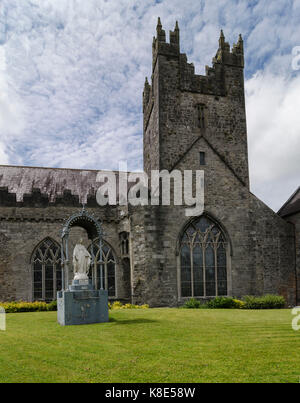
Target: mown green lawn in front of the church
153, 345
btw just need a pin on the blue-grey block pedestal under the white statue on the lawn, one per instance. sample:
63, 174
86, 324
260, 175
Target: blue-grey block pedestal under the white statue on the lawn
81, 304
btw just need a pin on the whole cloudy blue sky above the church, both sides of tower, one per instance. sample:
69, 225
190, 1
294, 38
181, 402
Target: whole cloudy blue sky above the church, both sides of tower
72, 75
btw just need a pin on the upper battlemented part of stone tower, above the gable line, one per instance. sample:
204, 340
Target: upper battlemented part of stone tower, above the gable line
180, 107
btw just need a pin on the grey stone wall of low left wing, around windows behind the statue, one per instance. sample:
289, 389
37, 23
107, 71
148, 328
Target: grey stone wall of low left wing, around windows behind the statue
22, 229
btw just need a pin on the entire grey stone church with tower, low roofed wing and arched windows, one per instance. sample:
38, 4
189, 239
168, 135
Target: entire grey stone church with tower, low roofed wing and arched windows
155, 254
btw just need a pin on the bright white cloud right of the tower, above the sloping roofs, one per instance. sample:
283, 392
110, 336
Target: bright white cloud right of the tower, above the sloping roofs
274, 136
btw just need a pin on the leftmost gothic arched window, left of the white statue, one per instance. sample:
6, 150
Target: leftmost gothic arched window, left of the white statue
46, 265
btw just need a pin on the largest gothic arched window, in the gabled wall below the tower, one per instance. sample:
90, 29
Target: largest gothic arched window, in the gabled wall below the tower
203, 268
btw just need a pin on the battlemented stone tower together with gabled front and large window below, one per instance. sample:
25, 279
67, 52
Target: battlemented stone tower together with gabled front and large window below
194, 122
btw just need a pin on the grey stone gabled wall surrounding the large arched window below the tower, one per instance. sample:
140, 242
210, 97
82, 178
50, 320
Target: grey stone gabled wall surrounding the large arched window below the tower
261, 243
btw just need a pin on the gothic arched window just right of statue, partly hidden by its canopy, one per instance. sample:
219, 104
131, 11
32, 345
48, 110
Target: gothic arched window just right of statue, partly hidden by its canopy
108, 266
